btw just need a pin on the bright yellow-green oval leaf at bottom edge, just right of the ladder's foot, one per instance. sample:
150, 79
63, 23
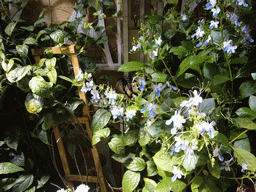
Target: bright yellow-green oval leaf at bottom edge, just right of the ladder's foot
130, 181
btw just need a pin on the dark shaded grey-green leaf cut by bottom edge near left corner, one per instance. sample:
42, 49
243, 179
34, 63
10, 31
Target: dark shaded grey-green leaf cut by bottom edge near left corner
23, 183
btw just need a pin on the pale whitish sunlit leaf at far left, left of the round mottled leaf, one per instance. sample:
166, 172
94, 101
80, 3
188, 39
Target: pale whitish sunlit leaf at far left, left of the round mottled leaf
18, 73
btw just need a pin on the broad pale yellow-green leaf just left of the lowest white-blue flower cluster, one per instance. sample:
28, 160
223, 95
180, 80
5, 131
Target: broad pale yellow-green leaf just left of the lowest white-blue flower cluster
165, 161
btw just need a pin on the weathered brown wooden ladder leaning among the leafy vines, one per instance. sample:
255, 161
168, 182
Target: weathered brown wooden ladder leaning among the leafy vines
71, 50
